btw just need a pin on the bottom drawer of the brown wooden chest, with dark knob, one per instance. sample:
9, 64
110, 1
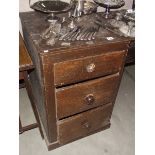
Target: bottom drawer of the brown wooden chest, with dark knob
84, 124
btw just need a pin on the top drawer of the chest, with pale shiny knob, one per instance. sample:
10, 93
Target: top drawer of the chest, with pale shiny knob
72, 71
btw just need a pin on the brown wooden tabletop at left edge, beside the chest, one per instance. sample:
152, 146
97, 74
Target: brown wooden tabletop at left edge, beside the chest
25, 61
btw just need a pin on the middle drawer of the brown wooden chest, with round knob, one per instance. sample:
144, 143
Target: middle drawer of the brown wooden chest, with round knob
83, 96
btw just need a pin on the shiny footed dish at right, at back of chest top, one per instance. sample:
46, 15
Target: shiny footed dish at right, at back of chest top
110, 4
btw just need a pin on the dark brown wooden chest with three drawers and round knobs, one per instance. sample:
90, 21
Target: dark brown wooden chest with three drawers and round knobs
74, 87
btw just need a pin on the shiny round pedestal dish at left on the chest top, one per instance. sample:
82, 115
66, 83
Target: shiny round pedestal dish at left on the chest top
52, 7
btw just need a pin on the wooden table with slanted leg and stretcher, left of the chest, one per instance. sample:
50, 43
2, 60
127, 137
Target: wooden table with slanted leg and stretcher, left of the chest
26, 65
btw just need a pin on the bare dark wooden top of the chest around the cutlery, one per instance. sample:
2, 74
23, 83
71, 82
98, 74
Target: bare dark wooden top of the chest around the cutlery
34, 24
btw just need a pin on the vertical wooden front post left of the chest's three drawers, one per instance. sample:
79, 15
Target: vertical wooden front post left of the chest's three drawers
49, 93
